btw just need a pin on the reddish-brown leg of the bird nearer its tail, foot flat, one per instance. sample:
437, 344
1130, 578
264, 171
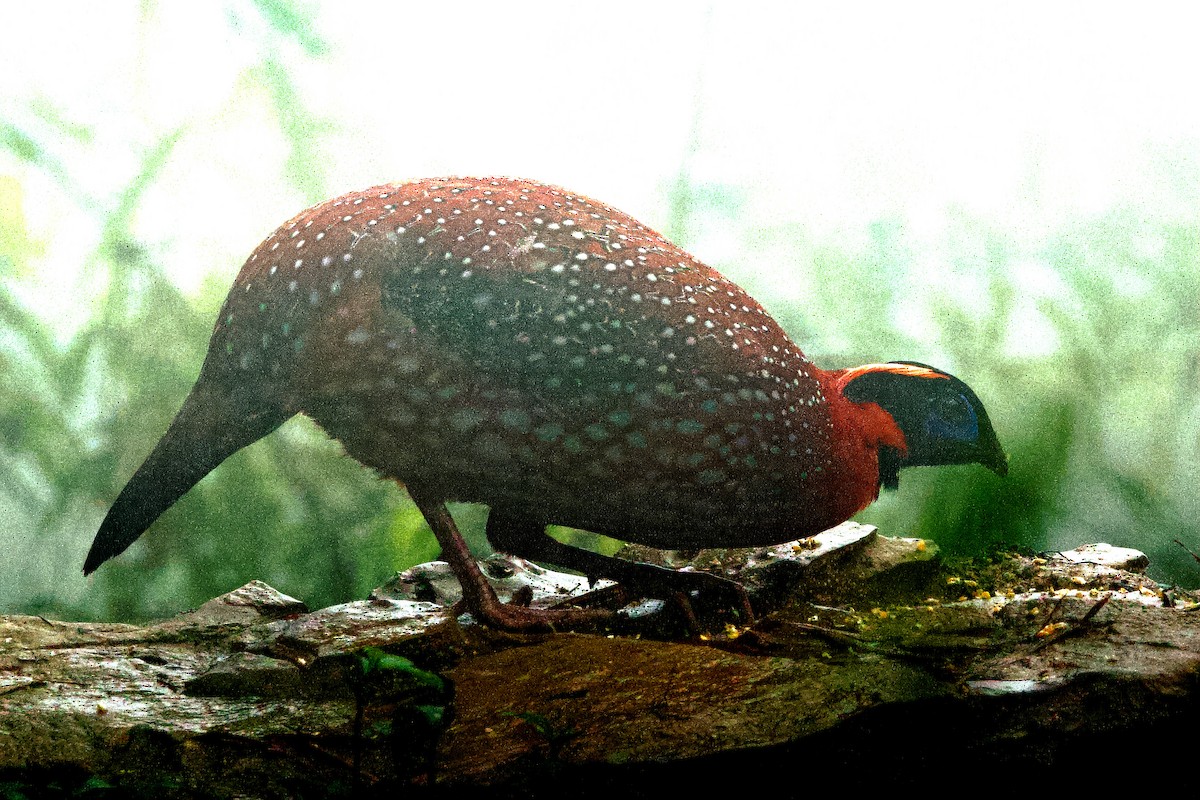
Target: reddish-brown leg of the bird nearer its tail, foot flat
477, 593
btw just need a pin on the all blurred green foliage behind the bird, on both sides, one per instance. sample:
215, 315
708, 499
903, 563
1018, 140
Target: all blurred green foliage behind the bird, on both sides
1102, 424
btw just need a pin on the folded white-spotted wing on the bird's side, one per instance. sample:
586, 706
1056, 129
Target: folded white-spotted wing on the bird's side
569, 311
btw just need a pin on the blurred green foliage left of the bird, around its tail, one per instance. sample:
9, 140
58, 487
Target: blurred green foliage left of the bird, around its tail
80, 418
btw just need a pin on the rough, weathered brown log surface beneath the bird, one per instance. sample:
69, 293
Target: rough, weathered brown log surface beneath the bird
872, 665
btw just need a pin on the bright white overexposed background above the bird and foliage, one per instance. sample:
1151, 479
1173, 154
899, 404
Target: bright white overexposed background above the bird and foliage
830, 116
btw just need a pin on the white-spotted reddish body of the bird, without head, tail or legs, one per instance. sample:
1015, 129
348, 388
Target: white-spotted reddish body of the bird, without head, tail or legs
521, 346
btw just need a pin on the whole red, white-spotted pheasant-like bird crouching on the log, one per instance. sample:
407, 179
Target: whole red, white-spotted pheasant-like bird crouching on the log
513, 344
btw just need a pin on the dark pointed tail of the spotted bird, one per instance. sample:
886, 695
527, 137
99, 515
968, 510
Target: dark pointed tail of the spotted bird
212, 426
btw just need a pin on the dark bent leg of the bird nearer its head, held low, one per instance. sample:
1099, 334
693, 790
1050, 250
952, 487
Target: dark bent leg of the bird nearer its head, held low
520, 537
